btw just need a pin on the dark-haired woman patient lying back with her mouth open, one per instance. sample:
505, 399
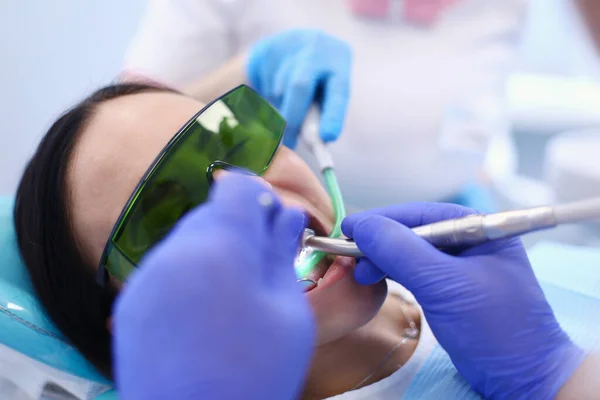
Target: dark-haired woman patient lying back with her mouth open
76, 186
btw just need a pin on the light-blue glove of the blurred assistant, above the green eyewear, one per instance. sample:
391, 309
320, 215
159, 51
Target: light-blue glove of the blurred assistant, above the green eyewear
289, 67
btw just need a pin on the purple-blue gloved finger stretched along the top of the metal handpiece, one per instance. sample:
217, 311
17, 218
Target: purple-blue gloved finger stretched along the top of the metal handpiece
410, 214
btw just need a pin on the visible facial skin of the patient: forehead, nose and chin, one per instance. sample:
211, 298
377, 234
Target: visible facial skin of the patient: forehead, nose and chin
122, 140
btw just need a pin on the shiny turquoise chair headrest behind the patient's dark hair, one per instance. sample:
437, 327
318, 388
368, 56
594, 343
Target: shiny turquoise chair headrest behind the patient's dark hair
23, 323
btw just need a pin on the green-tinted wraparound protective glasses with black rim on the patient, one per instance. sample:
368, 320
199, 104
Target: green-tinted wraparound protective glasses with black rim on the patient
239, 130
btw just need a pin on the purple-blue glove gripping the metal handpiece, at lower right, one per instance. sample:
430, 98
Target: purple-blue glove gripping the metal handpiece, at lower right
484, 305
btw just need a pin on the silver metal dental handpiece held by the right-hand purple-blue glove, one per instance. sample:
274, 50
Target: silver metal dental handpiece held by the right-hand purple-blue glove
475, 229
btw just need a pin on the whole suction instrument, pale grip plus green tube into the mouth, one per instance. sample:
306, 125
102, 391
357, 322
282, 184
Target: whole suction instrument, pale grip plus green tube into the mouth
308, 259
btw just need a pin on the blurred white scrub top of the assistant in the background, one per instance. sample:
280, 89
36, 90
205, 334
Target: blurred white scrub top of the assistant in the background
426, 98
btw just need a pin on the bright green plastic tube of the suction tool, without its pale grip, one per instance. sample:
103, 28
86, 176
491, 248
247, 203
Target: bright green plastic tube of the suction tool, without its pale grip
308, 258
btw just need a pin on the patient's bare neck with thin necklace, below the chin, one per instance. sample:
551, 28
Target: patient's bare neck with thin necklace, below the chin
339, 366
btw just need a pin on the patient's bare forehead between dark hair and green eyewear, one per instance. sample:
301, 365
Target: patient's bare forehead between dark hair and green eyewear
113, 152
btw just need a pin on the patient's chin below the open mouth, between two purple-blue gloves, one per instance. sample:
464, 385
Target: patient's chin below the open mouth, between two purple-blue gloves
346, 306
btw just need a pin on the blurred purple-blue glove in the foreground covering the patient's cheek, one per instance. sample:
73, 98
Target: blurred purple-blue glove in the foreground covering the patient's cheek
214, 311
